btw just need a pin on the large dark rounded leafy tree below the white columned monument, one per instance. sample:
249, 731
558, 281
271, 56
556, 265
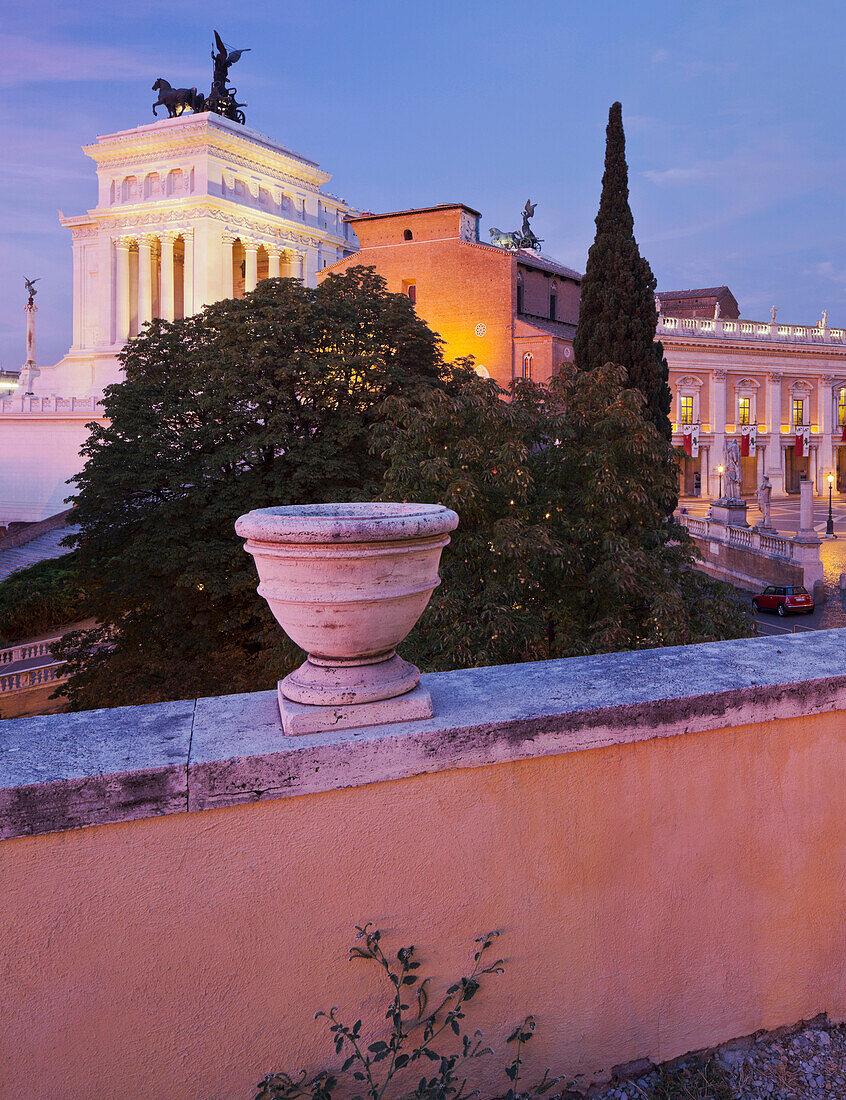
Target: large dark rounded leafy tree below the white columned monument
266, 401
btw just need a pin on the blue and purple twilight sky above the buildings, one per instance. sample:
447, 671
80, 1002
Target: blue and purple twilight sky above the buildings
734, 115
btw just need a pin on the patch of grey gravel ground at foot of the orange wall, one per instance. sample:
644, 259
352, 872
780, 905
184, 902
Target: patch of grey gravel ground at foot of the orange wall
808, 1063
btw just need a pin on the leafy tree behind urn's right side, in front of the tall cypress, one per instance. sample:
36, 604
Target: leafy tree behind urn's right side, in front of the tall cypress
564, 547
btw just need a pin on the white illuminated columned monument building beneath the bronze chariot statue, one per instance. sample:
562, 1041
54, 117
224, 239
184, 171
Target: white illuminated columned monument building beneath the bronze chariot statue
190, 211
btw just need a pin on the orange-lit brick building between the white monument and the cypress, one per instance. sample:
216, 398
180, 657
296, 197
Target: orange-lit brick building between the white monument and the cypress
514, 312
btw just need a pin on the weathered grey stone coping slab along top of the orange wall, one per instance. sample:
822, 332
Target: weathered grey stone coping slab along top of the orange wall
102, 767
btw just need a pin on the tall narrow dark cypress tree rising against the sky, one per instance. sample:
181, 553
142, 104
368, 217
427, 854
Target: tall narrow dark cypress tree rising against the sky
618, 318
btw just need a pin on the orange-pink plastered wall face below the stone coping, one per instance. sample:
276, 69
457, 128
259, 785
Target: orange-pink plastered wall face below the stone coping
654, 898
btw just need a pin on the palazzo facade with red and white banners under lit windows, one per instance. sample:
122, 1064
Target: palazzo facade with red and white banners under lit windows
730, 378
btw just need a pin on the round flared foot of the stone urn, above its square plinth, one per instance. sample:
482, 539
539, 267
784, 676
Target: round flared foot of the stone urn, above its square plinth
325, 683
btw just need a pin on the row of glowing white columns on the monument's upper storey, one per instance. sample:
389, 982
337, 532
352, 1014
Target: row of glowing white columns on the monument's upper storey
174, 273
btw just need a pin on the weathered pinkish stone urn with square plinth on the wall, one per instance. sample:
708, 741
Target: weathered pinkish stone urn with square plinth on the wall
347, 582
